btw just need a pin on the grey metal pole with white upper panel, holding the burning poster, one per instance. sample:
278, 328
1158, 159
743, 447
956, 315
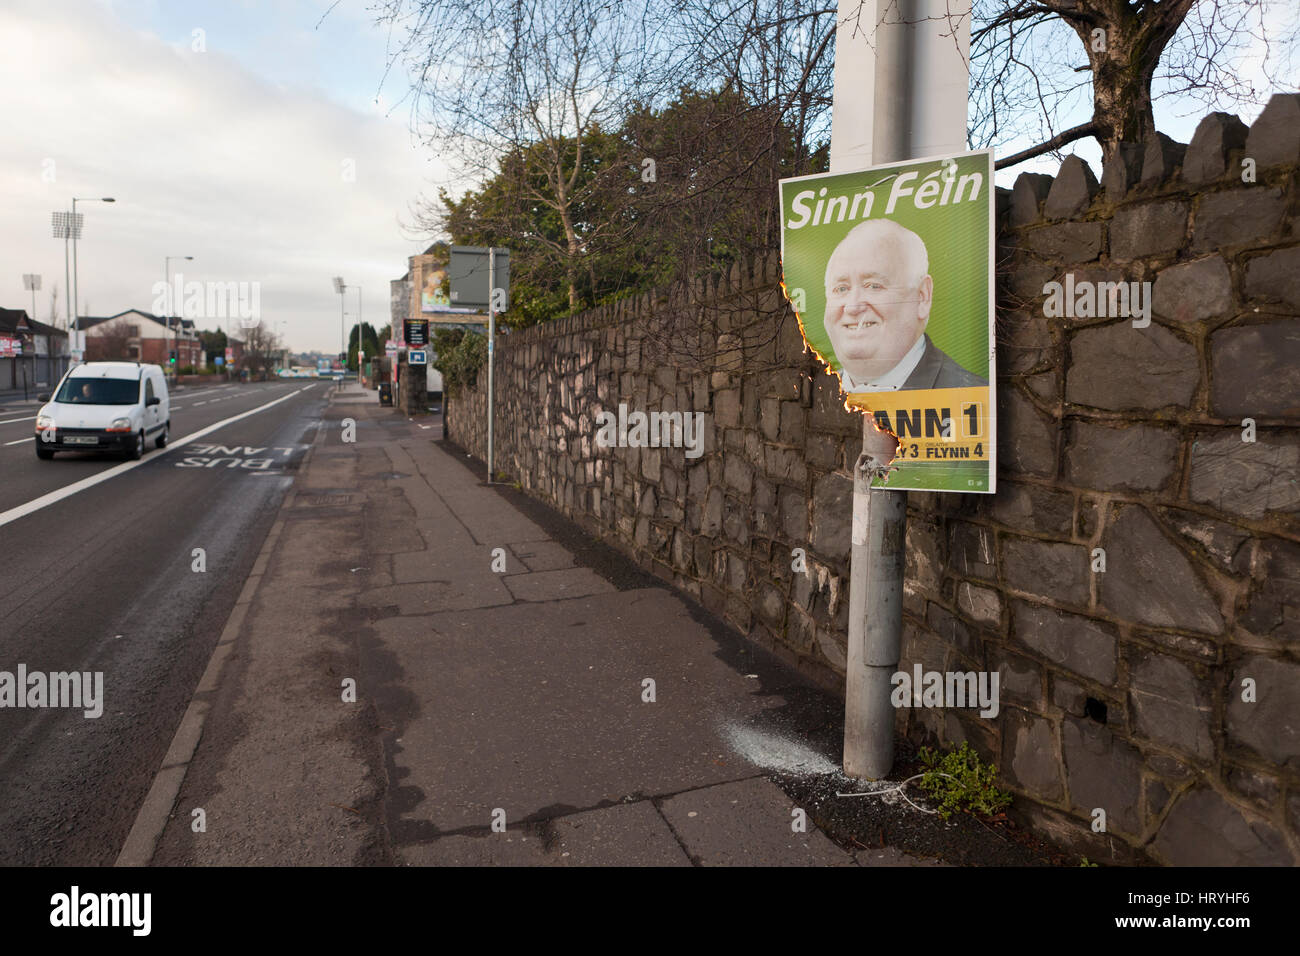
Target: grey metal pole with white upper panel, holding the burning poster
899, 93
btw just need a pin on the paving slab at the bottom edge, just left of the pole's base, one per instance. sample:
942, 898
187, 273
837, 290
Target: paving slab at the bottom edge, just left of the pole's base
747, 824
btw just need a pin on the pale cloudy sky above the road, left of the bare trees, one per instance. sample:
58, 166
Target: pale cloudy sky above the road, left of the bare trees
233, 155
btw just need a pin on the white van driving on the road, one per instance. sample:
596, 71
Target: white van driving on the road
106, 406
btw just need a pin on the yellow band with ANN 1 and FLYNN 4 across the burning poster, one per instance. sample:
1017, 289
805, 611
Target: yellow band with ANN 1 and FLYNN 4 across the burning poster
933, 425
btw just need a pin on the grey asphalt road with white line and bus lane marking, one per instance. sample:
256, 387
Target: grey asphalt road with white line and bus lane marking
105, 581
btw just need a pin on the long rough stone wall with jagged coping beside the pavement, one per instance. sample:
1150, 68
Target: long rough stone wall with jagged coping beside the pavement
1125, 689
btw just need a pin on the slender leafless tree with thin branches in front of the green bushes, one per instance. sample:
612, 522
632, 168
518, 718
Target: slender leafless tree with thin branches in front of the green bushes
528, 83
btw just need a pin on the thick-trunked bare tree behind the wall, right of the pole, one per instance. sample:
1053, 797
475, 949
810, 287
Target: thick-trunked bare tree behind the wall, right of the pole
1026, 73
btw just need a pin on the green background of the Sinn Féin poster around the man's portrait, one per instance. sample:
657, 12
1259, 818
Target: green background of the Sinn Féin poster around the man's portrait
957, 239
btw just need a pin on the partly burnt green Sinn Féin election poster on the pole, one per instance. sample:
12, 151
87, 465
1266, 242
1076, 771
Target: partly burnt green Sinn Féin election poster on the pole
891, 272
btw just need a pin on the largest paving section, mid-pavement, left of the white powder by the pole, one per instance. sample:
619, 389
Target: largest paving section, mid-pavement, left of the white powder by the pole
538, 708
